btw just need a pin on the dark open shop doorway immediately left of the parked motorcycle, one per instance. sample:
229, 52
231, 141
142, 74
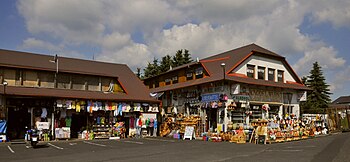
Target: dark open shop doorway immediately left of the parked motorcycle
18, 119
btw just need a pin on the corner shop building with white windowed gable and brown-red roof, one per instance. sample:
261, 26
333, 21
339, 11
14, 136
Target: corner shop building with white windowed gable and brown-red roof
236, 86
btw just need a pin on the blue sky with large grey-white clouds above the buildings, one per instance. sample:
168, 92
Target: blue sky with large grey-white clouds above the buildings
134, 32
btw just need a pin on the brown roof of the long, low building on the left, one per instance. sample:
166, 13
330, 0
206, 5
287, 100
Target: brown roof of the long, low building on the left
136, 90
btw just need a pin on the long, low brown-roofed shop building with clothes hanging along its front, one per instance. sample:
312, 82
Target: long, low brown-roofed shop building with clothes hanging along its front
44, 88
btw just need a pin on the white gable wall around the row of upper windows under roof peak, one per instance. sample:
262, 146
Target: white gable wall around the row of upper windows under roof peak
264, 62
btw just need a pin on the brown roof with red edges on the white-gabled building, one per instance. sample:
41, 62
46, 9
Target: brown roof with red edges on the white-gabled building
233, 59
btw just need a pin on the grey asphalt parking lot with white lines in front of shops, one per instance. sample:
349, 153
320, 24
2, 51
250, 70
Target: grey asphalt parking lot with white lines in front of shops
329, 148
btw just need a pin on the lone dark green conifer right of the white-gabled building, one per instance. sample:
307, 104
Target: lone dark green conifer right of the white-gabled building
318, 98
